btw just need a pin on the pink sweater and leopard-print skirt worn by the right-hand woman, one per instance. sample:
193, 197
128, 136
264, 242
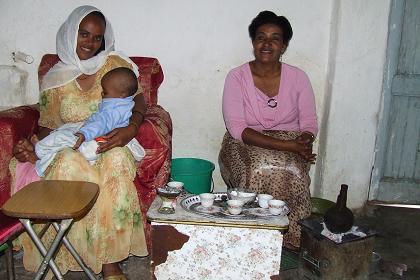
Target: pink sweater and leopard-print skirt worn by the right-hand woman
279, 173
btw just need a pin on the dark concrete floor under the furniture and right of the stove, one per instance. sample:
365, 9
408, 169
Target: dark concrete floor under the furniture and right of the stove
398, 241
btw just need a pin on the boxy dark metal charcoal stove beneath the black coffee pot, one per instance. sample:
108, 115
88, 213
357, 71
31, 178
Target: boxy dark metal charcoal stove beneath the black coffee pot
322, 258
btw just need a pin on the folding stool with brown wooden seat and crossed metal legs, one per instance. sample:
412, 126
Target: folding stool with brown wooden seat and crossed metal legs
62, 201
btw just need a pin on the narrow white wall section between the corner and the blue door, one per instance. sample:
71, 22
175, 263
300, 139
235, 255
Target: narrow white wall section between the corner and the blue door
352, 98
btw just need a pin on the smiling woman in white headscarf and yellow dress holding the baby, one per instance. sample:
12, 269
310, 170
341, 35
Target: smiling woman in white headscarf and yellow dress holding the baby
70, 92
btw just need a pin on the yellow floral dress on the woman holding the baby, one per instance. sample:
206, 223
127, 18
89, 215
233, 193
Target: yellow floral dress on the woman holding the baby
113, 229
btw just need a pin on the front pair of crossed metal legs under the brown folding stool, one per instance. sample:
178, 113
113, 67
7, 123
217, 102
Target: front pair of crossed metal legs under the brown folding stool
48, 261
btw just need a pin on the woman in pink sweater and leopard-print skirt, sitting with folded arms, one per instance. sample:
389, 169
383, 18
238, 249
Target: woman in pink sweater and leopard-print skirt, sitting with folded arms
270, 116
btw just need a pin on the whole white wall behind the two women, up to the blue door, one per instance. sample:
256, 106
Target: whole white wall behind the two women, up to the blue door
197, 42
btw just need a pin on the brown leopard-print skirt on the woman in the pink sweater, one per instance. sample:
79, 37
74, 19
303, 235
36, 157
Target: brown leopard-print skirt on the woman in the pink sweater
284, 175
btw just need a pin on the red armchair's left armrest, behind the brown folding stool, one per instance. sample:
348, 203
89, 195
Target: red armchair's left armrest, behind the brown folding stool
16, 123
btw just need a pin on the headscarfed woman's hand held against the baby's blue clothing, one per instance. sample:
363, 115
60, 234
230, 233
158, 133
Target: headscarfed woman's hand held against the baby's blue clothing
119, 137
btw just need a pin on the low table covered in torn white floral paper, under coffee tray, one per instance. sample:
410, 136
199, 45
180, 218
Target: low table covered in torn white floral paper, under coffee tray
191, 246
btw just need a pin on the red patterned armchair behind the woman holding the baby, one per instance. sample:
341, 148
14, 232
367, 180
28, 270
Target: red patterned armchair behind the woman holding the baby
155, 135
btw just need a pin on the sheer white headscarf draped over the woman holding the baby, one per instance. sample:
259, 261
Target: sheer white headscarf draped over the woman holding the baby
70, 66
